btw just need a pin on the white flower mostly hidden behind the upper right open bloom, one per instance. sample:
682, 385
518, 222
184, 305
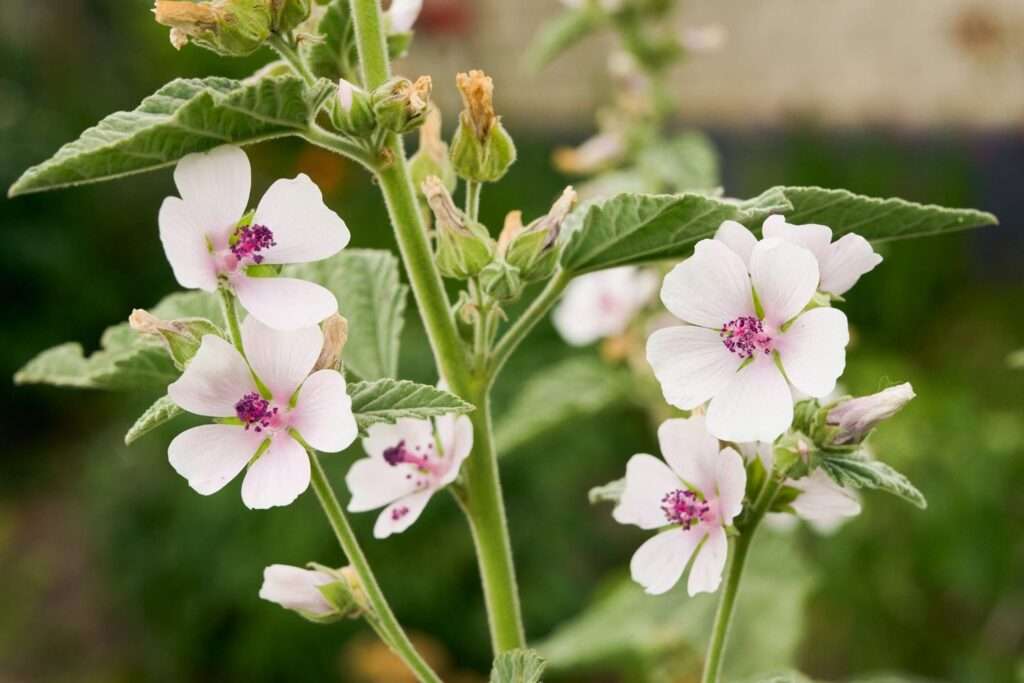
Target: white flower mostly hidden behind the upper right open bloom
841, 264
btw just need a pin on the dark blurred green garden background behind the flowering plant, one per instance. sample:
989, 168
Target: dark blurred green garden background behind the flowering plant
114, 571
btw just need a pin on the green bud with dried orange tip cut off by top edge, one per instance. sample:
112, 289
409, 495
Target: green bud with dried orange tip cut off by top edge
231, 28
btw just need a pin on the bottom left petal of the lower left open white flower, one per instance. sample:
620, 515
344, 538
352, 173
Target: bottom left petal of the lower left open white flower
210, 456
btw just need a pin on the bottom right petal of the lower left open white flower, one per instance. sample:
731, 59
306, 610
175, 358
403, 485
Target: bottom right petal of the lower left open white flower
279, 477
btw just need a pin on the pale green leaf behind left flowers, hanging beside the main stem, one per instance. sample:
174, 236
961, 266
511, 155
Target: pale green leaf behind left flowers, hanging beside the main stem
366, 284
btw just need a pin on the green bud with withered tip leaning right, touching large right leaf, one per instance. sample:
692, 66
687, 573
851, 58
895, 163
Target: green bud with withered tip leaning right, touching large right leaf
534, 250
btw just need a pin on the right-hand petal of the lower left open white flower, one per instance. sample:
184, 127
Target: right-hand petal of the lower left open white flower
324, 413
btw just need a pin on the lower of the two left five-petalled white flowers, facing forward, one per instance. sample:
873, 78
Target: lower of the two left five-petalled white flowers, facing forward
219, 383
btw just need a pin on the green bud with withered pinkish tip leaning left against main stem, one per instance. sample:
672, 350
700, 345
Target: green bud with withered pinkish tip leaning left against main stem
464, 248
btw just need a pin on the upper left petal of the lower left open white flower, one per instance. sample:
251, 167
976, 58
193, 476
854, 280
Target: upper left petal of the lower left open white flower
215, 380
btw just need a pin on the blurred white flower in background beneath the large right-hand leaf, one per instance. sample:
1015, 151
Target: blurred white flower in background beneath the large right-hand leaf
604, 304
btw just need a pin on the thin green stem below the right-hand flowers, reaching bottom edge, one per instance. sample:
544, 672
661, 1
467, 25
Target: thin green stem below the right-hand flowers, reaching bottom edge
734, 573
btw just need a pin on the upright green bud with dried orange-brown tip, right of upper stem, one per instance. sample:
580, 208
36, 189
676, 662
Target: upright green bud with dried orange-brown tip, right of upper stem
482, 150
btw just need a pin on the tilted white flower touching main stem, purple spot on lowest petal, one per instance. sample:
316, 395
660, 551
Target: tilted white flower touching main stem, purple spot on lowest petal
408, 463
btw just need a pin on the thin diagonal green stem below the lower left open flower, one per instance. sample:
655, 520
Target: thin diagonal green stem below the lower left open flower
389, 627
